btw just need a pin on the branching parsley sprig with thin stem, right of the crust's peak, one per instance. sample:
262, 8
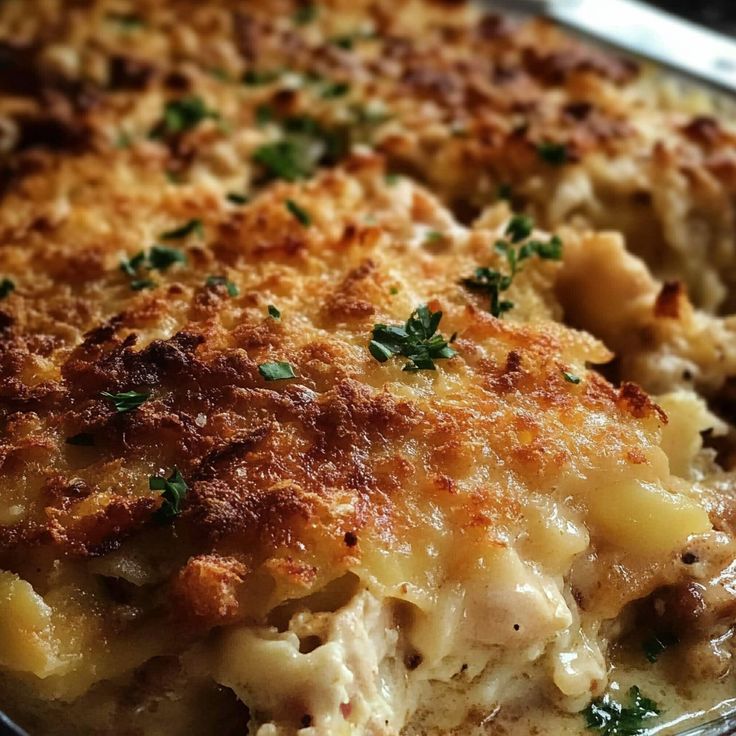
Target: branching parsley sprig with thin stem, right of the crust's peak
515, 250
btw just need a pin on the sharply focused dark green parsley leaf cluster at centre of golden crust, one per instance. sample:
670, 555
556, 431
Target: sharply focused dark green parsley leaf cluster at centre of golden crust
417, 340
